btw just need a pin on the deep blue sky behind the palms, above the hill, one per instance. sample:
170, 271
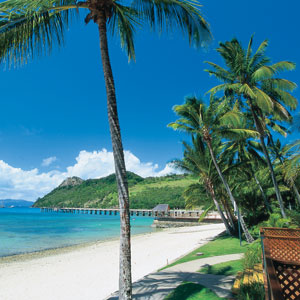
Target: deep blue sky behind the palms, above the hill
55, 106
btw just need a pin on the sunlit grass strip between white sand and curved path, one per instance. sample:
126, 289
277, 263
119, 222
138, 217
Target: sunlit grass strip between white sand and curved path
222, 245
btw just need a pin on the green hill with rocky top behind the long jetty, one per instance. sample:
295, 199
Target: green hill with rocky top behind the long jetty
102, 193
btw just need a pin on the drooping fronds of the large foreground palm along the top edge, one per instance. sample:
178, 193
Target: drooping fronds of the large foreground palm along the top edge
30, 28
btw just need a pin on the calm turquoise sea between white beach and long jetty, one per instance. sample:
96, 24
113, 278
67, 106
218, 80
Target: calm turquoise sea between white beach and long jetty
24, 230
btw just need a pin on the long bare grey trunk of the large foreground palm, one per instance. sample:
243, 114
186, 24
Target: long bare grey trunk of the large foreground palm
125, 284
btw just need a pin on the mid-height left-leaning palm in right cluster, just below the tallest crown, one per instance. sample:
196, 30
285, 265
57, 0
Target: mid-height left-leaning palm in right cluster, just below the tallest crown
215, 120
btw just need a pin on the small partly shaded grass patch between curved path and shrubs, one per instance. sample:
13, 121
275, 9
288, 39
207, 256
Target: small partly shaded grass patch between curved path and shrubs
226, 268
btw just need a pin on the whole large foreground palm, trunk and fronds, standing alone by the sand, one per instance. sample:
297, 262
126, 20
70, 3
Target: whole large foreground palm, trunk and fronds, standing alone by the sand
29, 28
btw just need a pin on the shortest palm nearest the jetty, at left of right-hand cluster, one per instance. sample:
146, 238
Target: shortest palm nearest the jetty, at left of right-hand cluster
197, 160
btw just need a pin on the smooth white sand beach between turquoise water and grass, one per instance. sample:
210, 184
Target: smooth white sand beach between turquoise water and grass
91, 272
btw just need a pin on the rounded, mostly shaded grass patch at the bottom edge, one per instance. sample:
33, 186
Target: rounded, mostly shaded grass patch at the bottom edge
192, 291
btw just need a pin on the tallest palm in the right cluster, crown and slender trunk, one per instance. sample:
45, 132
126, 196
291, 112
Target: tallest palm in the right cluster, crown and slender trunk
255, 82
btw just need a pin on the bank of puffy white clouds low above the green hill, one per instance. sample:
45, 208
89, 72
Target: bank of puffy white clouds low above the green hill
16, 183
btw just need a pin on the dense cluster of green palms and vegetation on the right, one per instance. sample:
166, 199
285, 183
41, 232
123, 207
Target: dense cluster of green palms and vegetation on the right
242, 169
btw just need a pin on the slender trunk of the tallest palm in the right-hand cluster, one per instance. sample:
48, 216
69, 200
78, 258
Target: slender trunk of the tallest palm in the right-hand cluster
266, 153
